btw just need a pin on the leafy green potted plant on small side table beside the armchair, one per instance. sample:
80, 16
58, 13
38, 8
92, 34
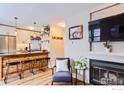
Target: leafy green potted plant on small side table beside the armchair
80, 64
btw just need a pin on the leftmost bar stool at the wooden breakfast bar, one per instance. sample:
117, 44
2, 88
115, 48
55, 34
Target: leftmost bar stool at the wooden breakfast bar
8, 65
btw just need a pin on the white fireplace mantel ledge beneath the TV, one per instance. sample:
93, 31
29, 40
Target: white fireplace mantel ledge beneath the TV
114, 57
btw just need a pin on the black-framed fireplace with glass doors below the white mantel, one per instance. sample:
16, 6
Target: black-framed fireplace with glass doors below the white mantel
106, 73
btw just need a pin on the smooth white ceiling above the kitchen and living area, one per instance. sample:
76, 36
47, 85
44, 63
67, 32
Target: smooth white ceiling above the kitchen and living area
41, 13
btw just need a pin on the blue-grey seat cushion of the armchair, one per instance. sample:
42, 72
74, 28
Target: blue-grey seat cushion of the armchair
61, 76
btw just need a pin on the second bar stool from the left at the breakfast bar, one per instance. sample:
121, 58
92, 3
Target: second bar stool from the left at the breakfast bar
29, 62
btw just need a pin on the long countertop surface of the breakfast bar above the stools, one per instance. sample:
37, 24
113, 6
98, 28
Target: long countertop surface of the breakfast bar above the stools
21, 53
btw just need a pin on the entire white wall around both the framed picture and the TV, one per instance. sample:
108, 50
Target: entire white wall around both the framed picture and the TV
80, 48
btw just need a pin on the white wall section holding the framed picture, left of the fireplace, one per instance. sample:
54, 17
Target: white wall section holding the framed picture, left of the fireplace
77, 48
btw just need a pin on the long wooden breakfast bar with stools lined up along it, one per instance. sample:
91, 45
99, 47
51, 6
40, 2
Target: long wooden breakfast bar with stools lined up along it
19, 56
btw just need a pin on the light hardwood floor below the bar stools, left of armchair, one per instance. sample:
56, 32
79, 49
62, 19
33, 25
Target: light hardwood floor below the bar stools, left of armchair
40, 78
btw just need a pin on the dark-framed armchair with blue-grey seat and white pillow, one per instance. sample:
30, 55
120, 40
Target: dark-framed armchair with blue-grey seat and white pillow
62, 71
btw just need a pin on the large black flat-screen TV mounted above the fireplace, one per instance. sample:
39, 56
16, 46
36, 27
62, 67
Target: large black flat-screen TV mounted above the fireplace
110, 28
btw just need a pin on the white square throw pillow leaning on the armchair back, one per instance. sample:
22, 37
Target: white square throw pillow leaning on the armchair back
62, 65
